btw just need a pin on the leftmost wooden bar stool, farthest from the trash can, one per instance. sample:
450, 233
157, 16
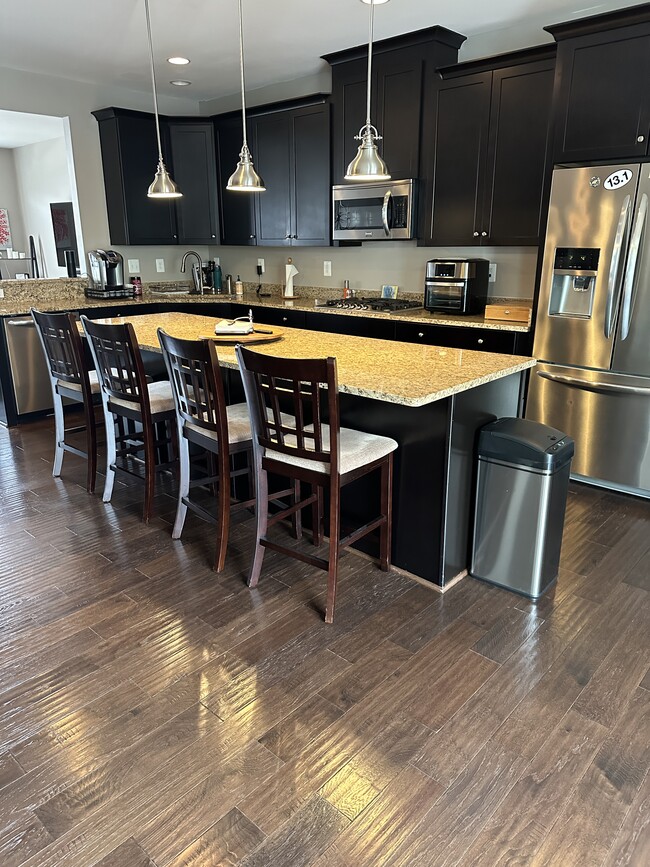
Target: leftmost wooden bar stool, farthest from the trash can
69, 377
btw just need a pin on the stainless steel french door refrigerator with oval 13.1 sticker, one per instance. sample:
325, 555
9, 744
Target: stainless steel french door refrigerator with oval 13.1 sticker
592, 334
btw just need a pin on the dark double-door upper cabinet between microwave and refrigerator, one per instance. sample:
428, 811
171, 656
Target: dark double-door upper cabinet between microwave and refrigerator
486, 151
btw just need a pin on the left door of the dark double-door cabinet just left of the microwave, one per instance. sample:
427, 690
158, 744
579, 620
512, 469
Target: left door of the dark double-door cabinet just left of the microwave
271, 136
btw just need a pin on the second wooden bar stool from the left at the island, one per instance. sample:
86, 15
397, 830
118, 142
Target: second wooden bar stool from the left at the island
136, 407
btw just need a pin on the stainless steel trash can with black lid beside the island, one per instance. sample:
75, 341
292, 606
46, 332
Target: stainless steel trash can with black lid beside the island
521, 491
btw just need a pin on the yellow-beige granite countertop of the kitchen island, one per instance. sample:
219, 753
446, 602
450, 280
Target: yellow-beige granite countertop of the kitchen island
396, 372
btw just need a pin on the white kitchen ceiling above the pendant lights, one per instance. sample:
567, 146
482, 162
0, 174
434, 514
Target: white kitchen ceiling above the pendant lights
105, 42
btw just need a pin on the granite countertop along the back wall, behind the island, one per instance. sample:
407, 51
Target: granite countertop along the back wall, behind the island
63, 294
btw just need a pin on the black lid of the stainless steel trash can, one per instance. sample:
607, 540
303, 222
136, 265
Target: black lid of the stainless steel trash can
526, 443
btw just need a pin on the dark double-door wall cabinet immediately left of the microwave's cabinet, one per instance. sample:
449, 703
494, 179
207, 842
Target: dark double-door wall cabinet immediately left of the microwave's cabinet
292, 151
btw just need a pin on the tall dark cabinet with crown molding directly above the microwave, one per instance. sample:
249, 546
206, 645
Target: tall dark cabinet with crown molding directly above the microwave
400, 69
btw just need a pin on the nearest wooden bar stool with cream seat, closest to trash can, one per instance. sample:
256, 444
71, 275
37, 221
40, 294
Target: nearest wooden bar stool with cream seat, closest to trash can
304, 449
